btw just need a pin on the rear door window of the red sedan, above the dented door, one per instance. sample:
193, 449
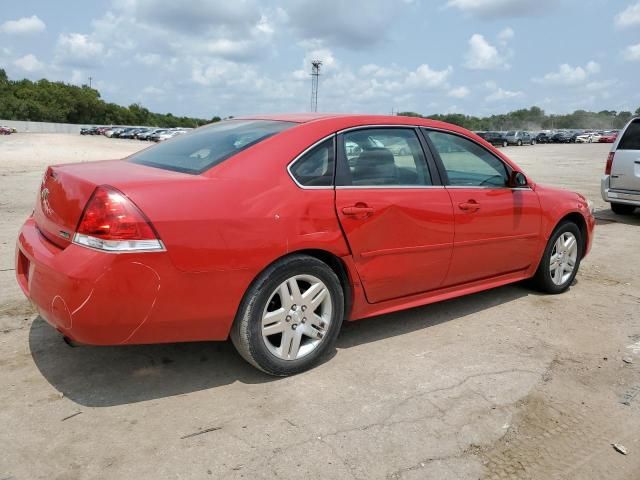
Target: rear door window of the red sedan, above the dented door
385, 157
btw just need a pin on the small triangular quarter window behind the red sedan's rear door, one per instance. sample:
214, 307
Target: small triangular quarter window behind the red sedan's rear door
315, 168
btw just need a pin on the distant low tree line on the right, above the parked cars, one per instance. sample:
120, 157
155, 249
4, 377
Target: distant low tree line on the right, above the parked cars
535, 118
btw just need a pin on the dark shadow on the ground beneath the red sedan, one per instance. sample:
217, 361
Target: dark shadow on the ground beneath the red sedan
109, 376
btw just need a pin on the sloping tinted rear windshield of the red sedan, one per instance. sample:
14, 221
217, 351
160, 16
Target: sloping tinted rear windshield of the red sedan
208, 146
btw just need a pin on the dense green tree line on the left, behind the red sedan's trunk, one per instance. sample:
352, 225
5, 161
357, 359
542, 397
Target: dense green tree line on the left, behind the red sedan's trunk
59, 102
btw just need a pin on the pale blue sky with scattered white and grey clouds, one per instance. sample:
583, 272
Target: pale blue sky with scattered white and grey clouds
236, 57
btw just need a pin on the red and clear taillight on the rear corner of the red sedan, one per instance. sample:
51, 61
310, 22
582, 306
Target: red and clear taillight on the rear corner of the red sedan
113, 223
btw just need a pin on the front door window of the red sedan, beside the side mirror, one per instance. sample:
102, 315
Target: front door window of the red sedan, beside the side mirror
468, 164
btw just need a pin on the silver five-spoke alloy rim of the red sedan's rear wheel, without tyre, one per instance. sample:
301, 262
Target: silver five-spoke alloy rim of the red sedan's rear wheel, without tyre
297, 316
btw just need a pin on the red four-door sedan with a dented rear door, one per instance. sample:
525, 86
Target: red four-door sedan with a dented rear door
273, 230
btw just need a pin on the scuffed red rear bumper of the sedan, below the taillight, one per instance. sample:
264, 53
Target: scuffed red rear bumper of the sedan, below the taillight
102, 298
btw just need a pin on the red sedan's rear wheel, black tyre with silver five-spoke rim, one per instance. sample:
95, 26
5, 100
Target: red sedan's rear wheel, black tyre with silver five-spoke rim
290, 316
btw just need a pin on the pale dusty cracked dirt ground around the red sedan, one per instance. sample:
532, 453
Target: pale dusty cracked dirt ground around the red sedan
503, 384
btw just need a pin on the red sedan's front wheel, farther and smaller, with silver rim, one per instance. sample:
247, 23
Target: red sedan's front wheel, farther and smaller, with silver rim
561, 259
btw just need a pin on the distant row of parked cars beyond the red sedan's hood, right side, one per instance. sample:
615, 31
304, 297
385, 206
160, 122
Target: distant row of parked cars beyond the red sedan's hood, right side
522, 137
